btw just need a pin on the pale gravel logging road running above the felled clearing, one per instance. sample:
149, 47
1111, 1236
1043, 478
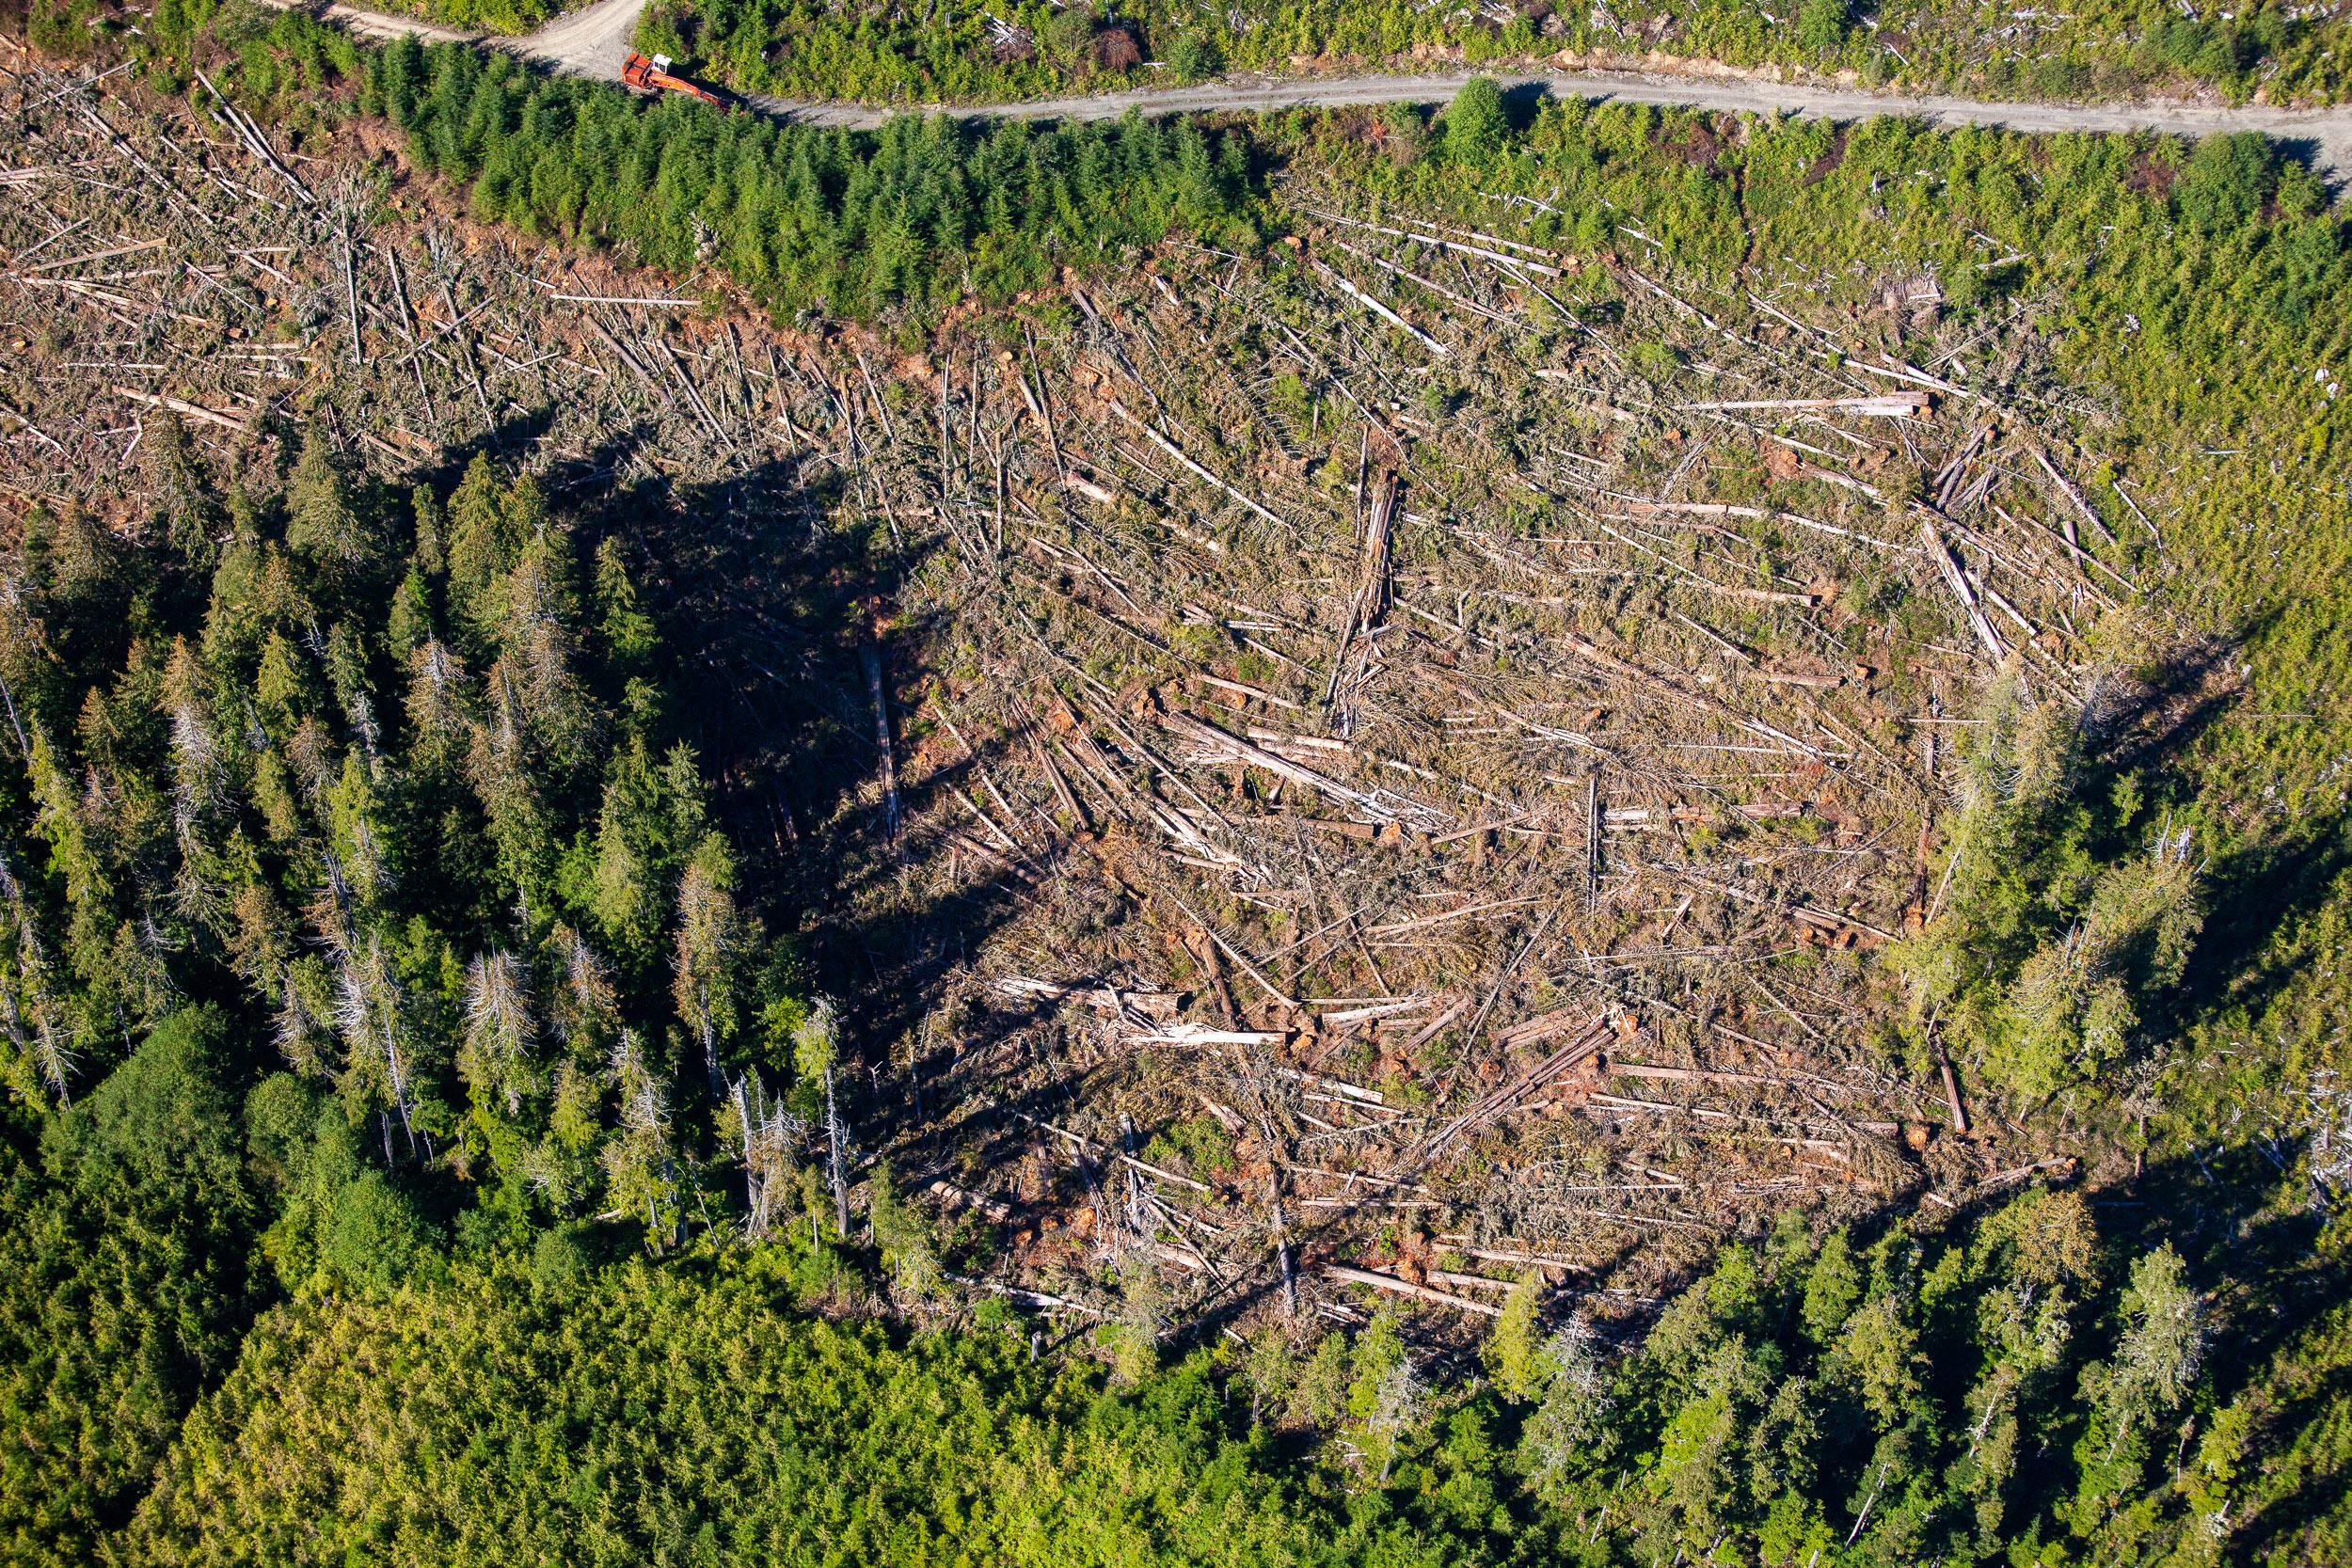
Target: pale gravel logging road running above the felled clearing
594, 43
